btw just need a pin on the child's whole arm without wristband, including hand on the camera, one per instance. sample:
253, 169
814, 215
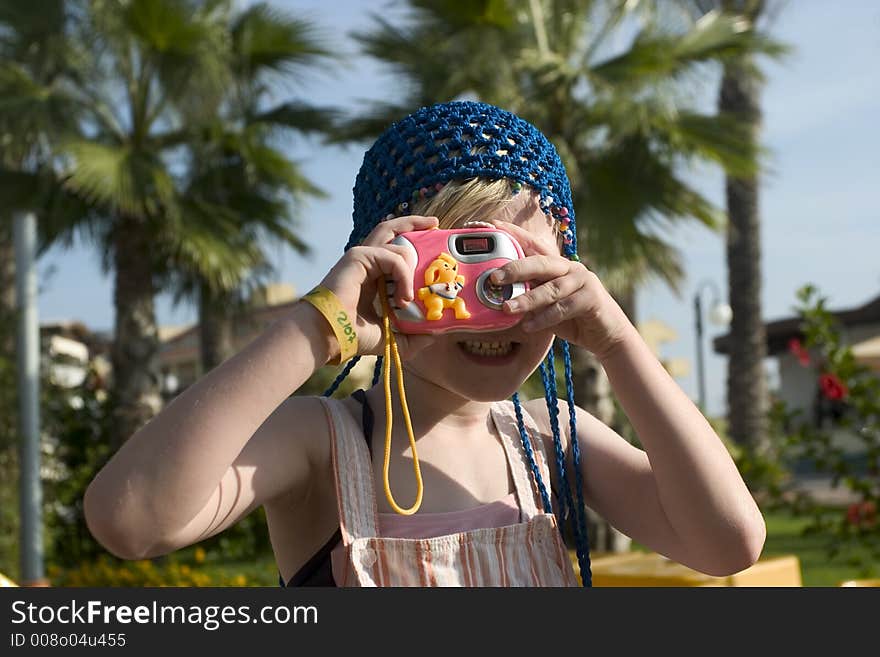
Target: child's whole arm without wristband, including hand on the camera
683, 495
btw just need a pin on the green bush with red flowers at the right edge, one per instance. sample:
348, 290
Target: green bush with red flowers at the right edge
847, 403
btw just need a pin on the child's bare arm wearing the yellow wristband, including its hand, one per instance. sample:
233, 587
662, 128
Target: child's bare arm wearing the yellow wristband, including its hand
233, 440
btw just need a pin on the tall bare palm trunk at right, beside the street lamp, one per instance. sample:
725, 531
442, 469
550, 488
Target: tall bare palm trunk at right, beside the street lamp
746, 380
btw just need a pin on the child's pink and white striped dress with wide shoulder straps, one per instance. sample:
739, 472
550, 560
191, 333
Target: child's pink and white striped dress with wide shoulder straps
529, 552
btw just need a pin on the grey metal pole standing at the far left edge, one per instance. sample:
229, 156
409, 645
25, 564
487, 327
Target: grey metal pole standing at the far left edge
28, 362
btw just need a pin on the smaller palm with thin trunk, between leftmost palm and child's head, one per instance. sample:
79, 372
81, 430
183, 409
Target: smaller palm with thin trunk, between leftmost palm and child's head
240, 177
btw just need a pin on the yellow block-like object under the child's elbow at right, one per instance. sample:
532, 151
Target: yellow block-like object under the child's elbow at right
654, 570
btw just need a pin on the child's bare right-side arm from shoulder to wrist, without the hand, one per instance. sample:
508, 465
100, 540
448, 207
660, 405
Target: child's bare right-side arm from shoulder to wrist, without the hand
683, 495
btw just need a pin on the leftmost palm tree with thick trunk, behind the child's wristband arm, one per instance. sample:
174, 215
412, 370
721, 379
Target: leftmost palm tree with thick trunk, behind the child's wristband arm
151, 65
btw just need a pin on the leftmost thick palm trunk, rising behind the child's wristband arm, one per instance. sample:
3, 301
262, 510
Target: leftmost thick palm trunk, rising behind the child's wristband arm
134, 353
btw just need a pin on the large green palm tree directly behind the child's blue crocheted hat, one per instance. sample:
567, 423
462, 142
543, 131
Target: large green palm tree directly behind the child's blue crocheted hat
621, 122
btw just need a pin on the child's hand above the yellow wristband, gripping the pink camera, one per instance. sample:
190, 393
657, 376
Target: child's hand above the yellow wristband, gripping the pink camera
357, 275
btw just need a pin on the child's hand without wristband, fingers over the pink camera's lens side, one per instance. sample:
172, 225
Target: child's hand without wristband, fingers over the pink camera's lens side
565, 296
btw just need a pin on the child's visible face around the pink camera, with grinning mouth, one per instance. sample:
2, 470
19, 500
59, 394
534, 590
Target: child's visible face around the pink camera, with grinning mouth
490, 366
